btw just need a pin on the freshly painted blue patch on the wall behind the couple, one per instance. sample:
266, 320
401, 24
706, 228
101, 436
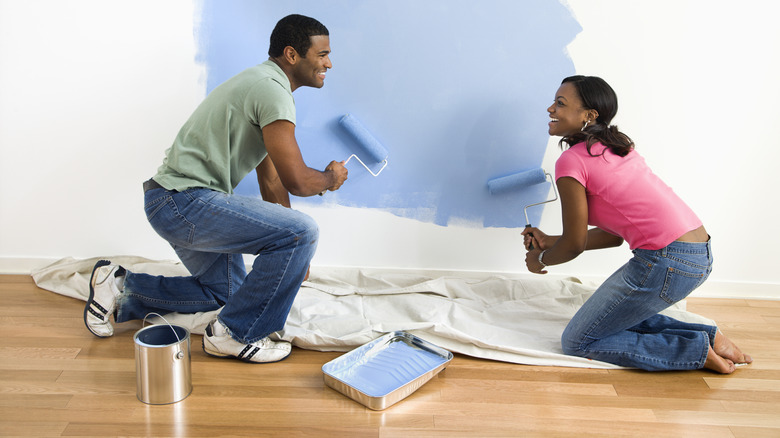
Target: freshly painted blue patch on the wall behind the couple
455, 90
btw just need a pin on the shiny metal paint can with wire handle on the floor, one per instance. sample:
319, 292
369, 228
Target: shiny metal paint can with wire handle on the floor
162, 364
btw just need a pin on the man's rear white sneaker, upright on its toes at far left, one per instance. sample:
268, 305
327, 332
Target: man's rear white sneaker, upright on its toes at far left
105, 286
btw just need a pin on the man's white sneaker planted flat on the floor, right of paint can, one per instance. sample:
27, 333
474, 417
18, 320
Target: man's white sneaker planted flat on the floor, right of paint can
218, 342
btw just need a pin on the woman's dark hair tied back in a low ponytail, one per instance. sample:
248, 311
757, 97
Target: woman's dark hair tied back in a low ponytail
596, 94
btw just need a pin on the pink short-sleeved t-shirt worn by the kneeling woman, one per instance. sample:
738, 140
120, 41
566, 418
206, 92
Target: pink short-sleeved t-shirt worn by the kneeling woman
626, 198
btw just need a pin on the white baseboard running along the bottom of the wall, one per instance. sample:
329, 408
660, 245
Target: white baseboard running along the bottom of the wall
710, 289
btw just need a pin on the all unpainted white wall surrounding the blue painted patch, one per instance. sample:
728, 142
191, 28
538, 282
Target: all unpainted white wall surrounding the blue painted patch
92, 92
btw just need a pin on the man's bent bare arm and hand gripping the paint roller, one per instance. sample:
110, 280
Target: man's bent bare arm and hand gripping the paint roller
297, 178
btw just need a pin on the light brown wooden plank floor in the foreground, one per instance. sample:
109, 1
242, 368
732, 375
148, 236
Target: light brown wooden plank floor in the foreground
56, 379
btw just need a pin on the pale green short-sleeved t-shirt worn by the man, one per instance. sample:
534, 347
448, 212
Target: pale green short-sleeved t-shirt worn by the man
222, 141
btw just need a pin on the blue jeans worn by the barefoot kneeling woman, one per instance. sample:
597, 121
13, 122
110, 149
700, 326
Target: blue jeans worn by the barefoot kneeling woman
620, 323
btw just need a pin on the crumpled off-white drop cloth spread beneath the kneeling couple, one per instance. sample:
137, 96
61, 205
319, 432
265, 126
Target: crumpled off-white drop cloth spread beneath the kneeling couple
500, 318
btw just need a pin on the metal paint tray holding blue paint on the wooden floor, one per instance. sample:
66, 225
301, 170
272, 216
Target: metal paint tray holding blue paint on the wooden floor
385, 370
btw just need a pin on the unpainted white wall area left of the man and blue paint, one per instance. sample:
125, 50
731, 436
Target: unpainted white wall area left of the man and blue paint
92, 92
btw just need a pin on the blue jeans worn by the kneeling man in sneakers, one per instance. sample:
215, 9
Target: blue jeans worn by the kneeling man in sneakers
210, 231
